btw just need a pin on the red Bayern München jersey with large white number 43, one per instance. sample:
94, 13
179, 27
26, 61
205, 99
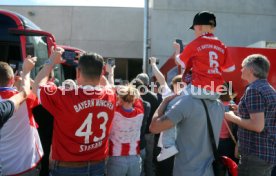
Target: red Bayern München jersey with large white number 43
82, 121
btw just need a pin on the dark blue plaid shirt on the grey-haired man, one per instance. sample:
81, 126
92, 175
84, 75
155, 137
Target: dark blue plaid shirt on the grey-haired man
260, 96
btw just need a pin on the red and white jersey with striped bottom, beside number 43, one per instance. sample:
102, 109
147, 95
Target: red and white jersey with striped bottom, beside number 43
126, 129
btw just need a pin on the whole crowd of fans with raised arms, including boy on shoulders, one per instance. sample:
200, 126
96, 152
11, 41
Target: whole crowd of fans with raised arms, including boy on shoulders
89, 126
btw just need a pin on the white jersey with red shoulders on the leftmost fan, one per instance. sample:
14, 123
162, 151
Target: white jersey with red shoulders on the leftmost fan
20, 146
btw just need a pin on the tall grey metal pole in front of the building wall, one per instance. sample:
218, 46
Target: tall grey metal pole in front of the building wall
145, 41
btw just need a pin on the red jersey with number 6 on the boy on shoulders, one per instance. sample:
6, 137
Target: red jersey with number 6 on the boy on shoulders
207, 56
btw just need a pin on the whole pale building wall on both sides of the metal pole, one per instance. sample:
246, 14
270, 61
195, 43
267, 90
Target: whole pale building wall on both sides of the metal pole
118, 32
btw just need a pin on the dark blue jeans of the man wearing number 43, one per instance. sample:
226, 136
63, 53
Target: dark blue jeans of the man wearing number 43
89, 170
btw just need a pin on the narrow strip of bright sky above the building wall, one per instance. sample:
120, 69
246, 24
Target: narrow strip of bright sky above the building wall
112, 3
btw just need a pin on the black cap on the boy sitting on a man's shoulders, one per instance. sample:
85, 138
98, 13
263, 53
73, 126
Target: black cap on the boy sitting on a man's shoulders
204, 18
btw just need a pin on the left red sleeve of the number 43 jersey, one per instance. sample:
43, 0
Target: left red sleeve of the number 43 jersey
49, 96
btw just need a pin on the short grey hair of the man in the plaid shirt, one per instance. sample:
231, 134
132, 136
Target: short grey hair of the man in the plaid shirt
259, 64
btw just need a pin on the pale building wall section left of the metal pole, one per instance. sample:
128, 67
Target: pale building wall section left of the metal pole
111, 32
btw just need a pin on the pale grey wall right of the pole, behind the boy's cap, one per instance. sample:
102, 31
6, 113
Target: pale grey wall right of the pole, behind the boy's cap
239, 22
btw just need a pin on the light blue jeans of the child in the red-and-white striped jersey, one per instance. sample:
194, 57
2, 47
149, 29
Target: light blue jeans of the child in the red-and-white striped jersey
124, 165
